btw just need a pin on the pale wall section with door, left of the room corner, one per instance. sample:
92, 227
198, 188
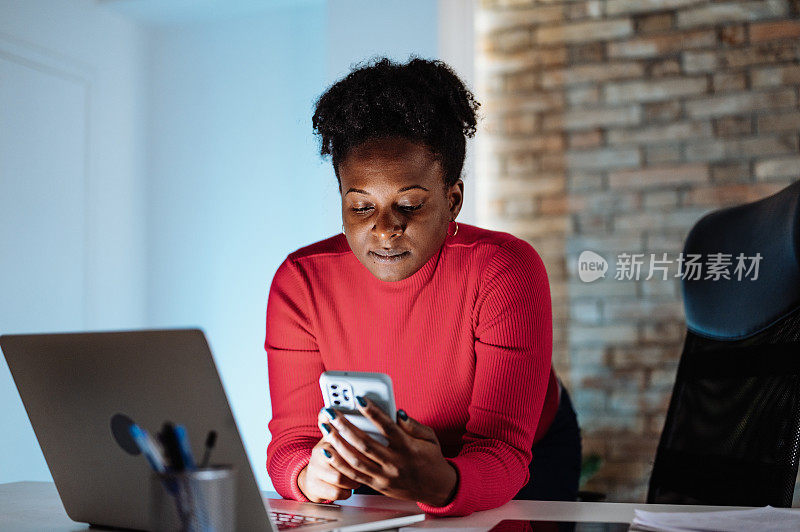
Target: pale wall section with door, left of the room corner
71, 195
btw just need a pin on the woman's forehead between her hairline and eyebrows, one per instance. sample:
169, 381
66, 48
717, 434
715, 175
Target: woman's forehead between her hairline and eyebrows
390, 162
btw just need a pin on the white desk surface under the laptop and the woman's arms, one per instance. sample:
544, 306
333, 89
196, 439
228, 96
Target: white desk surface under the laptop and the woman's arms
29, 506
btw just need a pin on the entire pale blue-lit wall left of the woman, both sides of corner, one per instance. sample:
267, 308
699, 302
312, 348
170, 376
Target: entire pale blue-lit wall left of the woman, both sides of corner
194, 171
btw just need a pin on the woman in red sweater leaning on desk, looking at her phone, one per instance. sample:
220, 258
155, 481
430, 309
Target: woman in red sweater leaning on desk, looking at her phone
458, 316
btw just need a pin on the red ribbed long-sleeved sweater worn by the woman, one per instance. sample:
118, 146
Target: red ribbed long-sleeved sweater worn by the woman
466, 339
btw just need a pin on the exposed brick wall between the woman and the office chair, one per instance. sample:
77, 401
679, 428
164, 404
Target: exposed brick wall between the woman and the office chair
613, 126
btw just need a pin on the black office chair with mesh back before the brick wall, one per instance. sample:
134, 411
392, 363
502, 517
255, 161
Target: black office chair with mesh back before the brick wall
732, 430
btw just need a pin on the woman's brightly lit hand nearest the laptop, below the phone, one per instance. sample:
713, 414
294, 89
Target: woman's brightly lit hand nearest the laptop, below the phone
320, 482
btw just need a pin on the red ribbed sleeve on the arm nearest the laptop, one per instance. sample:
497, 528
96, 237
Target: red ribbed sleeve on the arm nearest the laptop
294, 365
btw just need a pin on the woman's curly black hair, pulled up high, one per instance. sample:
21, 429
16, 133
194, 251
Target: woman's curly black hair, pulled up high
422, 101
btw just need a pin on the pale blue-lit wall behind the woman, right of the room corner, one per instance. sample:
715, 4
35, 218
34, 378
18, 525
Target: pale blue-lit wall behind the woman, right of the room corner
235, 180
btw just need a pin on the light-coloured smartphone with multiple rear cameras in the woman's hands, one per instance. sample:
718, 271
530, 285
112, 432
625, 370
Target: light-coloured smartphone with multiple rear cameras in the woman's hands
340, 389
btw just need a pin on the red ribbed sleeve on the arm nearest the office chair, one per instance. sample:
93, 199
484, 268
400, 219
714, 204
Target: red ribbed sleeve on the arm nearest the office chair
513, 349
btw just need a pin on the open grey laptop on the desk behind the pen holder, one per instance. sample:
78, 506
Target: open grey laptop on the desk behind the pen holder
73, 385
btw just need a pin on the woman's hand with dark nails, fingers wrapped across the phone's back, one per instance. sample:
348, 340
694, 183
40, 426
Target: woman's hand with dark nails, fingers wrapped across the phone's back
411, 467
